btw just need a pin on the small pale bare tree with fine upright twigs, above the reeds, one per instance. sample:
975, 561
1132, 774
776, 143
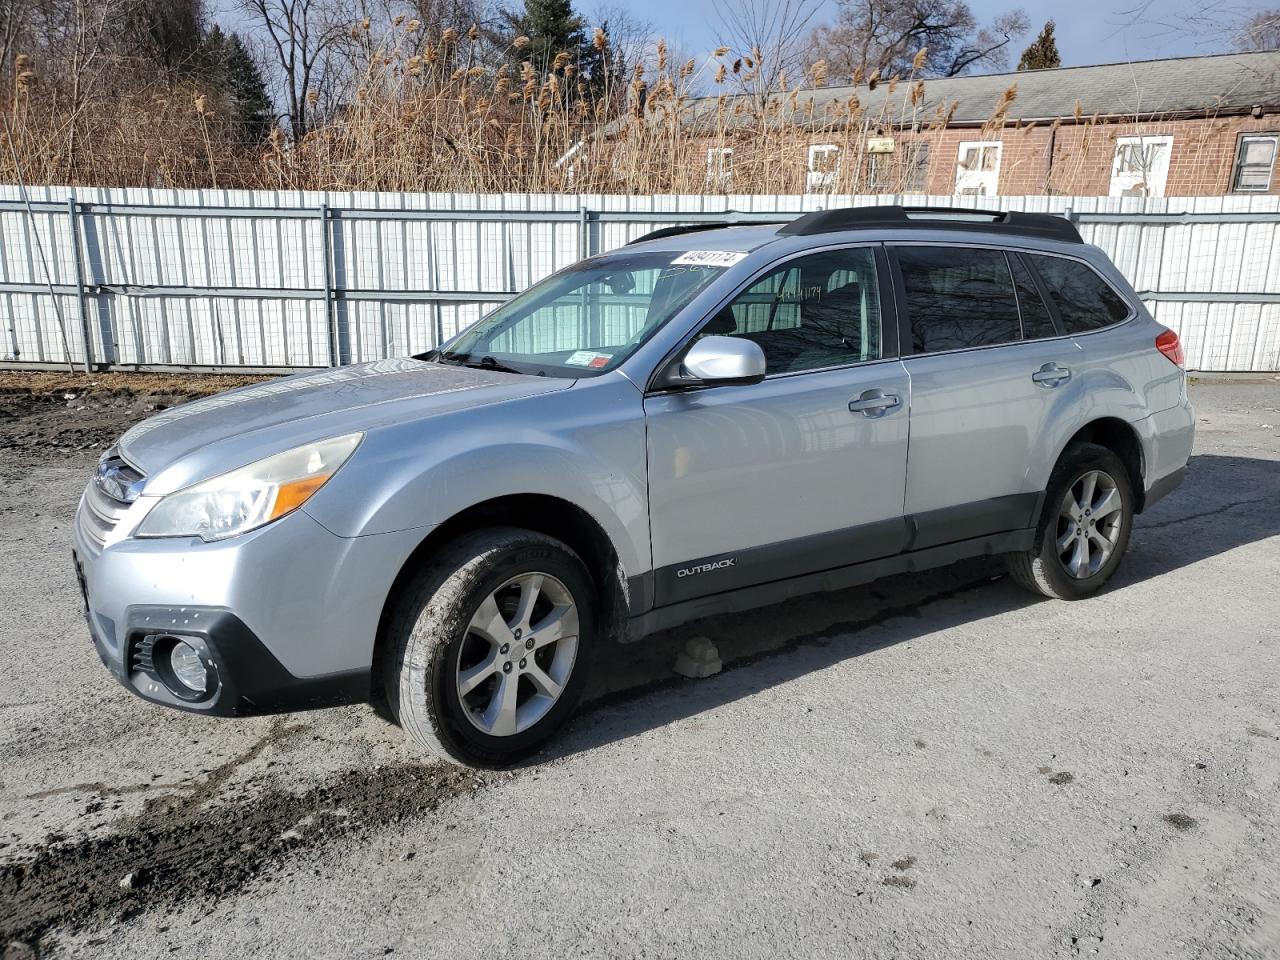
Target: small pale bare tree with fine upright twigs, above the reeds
767, 42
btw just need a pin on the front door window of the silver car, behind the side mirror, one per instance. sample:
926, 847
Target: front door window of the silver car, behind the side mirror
811, 313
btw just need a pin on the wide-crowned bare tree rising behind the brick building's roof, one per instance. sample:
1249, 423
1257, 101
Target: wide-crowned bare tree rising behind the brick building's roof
884, 36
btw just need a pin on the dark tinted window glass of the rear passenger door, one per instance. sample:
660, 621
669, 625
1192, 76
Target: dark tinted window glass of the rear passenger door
958, 298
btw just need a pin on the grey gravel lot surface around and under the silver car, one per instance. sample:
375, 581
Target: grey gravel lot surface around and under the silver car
934, 766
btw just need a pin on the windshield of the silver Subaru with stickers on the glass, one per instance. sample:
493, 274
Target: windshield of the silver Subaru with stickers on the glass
584, 321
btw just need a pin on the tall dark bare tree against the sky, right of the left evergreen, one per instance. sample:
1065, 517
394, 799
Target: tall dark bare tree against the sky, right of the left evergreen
299, 38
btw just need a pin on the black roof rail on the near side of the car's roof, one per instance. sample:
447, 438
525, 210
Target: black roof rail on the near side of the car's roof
935, 218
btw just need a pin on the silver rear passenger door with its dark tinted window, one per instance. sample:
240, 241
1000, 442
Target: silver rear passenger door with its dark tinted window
988, 365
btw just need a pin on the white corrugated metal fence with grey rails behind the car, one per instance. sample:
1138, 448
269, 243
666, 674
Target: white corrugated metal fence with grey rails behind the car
237, 280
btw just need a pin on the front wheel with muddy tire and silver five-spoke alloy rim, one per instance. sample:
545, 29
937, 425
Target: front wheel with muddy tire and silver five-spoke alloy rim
461, 624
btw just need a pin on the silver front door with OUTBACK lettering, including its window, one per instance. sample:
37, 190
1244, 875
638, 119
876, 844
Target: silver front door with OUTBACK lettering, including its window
803, 472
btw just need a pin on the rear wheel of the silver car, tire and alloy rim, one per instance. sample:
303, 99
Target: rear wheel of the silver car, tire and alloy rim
1049, 572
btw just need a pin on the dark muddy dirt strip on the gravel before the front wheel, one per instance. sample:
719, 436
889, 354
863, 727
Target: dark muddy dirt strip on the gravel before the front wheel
182, 851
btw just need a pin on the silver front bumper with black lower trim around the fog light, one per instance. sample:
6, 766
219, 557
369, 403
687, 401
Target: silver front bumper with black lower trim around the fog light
285, 618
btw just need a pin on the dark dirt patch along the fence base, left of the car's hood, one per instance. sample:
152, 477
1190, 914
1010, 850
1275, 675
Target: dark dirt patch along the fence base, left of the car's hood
47, 414
